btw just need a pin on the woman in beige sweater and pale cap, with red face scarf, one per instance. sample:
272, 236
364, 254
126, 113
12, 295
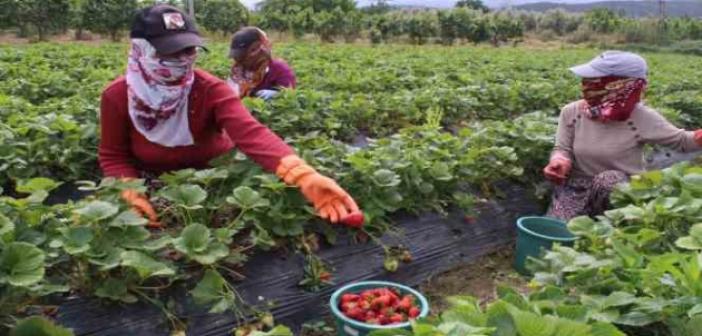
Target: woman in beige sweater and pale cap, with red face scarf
600, 138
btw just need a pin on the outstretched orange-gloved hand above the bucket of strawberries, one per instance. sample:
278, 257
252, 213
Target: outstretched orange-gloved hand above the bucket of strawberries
330, 201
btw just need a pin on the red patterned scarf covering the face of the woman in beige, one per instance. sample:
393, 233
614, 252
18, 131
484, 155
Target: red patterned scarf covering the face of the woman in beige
612, 98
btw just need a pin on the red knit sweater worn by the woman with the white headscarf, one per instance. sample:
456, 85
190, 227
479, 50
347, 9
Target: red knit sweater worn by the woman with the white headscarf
218, 122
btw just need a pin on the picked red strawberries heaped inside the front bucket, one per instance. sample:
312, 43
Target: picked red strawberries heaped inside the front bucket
381, 306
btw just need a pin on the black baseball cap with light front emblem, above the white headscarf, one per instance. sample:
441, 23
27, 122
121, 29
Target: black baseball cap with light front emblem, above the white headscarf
167, 28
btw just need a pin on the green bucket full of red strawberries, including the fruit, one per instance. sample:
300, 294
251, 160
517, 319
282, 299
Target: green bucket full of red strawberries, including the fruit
362, 307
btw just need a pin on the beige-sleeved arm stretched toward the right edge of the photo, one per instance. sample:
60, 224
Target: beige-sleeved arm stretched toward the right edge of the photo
654, 128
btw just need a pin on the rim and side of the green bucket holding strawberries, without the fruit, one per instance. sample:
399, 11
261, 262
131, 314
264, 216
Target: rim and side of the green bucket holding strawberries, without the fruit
349, 327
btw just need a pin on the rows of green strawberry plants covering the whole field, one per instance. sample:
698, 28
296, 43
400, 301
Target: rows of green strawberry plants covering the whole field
405, 129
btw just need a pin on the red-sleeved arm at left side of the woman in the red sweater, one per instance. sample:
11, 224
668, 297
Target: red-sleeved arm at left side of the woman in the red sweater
114, 152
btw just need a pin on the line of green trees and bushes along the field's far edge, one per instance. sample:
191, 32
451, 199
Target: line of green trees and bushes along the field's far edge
332, 20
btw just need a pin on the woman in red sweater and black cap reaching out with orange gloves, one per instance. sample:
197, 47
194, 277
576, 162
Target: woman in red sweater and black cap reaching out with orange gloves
165, 115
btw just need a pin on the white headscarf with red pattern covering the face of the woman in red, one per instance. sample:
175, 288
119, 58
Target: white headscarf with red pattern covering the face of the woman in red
158, 93
